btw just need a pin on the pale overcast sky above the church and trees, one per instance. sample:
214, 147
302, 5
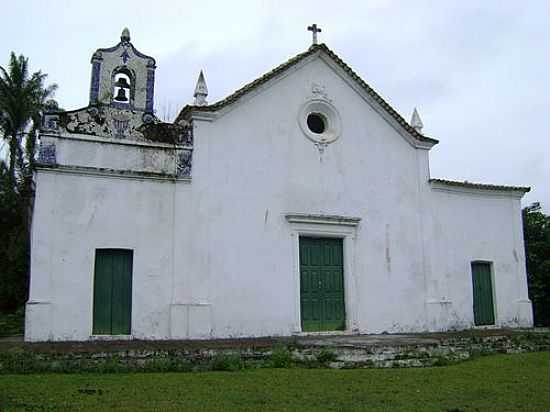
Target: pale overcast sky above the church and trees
478, 71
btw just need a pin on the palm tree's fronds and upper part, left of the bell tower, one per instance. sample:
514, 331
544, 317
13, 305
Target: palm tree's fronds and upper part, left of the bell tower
22, 100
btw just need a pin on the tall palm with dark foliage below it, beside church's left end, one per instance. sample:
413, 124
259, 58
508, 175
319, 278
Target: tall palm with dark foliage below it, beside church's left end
22, 100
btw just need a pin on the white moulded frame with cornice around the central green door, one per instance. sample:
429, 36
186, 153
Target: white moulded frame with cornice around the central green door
326, 226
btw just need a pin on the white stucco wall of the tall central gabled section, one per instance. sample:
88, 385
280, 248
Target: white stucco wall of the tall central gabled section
251, 173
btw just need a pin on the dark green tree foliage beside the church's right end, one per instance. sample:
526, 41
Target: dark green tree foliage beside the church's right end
536, 233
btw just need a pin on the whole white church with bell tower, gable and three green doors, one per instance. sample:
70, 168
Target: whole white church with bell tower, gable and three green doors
302, 203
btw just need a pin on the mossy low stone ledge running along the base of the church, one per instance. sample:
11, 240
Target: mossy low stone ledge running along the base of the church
366, 351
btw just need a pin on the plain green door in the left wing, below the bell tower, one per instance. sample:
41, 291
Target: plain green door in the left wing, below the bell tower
113, 292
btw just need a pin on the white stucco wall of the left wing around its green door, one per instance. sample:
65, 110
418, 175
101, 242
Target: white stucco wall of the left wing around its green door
74, 215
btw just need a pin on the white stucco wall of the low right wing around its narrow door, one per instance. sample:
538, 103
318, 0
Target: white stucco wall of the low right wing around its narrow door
467, 227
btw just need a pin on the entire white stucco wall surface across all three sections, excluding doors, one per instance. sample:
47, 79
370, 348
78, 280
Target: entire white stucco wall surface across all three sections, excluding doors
216, 257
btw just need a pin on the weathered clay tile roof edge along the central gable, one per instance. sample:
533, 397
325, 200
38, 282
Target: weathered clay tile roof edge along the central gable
291, 62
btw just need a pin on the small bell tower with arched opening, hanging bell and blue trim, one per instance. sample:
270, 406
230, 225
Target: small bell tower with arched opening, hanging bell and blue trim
123, 78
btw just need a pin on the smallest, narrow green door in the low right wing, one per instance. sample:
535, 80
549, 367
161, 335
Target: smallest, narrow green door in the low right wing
484, 311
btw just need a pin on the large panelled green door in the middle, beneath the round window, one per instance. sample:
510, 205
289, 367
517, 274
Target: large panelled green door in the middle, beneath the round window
322, 284
